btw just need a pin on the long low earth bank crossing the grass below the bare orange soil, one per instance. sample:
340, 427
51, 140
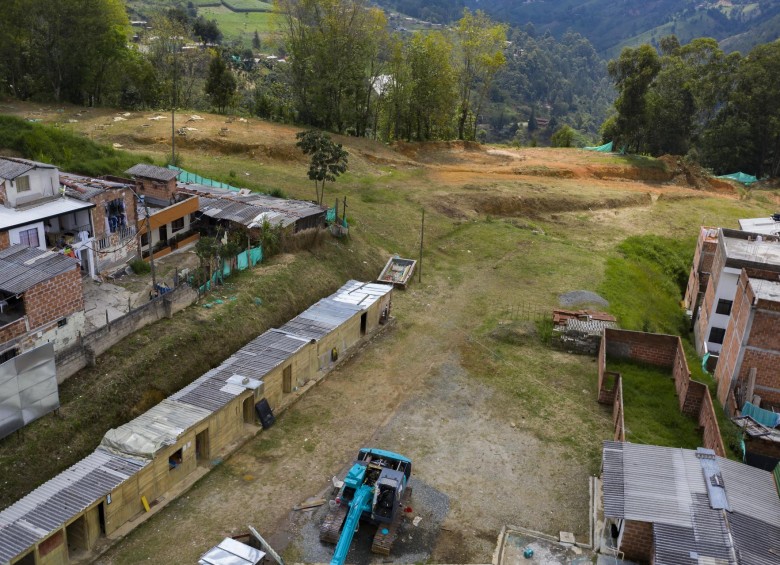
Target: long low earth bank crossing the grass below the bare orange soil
513, 205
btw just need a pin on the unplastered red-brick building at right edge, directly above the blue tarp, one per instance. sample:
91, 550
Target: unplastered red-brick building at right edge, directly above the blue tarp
749, 362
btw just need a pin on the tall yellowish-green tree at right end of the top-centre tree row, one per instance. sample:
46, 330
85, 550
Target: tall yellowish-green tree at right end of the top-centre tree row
481, 43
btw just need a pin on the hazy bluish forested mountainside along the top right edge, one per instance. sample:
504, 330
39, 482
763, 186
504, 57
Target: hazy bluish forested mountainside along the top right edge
610, 25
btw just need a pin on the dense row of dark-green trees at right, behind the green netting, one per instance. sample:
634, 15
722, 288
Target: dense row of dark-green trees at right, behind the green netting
723, 110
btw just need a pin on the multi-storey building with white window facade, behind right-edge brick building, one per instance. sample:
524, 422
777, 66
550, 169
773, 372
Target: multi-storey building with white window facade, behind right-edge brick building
735, 250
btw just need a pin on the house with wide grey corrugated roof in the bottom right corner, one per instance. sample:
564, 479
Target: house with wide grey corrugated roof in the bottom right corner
670, 506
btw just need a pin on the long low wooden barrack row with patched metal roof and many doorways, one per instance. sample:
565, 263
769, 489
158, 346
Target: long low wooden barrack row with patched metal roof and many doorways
172, 444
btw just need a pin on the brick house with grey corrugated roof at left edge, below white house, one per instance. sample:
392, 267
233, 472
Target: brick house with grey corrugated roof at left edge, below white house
41, 300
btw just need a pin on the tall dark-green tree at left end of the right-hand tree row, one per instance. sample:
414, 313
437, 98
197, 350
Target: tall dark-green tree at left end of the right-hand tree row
633, 73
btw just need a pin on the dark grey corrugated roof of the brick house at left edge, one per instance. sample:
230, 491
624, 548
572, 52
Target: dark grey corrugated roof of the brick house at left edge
21, 267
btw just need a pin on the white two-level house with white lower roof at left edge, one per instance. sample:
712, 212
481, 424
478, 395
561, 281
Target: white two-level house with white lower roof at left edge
34, 212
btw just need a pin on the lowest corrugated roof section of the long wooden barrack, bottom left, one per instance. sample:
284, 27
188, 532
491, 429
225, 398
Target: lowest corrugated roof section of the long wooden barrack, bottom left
47, 508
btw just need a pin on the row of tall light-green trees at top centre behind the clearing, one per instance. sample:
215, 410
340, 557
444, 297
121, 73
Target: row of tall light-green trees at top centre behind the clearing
349, 74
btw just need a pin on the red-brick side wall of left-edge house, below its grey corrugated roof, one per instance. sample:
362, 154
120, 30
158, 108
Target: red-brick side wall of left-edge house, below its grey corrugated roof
54, 299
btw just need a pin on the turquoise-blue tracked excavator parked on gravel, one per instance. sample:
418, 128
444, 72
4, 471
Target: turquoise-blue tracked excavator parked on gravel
374, 490
